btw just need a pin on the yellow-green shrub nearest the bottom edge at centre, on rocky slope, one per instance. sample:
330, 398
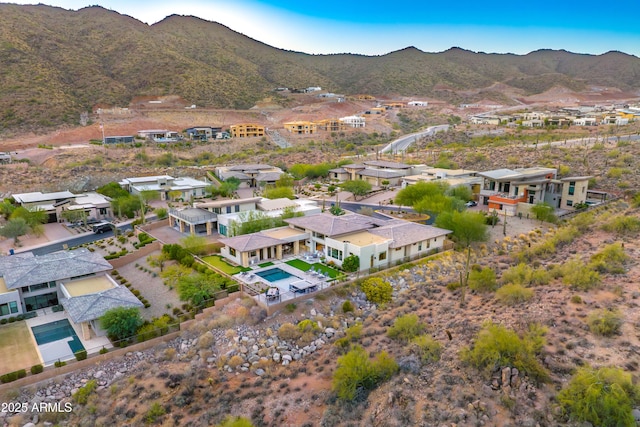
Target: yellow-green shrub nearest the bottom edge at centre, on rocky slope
356, 374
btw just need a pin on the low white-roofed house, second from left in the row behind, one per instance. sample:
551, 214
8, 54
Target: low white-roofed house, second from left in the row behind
188, 188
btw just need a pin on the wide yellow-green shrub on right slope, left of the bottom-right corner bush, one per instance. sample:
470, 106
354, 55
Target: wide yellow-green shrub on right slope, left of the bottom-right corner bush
496, 346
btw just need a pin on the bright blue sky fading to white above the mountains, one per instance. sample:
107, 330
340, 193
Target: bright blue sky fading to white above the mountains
379, 27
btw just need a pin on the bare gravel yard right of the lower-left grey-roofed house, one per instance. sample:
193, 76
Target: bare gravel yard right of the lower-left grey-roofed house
151, 288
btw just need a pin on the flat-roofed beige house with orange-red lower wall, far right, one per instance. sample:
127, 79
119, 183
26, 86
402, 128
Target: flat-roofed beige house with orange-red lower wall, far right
513, 192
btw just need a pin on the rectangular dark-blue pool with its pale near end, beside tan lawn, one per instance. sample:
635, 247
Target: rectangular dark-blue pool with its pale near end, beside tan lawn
56, 341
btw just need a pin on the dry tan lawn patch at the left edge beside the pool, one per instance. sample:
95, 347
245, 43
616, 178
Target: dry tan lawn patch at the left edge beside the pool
18, 349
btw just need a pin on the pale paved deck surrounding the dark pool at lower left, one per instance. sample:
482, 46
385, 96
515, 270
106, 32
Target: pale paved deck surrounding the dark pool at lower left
60, 349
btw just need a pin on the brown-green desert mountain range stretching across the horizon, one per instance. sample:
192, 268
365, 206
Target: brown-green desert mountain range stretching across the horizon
58, 63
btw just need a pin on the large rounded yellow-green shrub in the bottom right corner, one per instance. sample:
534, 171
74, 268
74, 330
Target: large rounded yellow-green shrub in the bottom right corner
603, 397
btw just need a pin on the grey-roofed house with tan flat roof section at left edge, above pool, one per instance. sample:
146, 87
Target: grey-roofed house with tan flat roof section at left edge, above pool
76, 279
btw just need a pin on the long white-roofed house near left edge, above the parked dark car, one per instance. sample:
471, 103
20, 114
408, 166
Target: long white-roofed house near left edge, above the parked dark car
95, 205
